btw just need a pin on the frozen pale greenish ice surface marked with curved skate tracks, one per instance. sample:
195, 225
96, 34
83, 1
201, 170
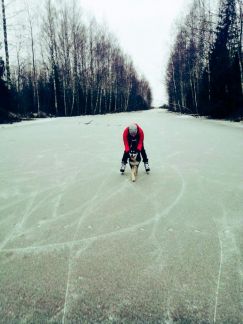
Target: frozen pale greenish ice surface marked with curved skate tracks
81, 243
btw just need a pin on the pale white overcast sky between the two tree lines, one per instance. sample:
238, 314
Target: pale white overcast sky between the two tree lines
144, 30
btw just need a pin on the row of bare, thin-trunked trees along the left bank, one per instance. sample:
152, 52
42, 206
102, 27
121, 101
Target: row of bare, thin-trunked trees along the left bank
67, 66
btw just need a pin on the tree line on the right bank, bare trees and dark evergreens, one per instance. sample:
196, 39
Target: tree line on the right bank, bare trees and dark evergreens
205, 68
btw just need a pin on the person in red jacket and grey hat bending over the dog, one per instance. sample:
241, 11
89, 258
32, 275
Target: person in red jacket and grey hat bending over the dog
133, 137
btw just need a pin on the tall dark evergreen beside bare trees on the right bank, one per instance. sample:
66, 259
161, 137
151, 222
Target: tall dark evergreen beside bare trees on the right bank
224, 63
